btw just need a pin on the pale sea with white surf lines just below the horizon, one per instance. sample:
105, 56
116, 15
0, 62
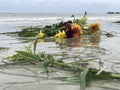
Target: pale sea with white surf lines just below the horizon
52, 17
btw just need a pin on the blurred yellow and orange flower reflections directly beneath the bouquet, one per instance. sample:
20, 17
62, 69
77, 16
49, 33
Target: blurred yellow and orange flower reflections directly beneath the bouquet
89, 40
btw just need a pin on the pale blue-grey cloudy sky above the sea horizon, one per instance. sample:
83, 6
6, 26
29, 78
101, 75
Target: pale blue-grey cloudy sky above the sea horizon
59, 6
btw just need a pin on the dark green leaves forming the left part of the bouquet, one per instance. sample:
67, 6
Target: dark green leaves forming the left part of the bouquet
49, 30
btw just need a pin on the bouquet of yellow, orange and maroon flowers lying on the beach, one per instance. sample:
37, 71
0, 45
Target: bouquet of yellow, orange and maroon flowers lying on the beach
69, 29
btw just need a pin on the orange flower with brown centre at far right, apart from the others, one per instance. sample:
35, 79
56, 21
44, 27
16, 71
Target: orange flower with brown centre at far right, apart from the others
94, 27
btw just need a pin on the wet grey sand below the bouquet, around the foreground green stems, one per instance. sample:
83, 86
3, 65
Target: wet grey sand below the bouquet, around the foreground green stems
33, 77
